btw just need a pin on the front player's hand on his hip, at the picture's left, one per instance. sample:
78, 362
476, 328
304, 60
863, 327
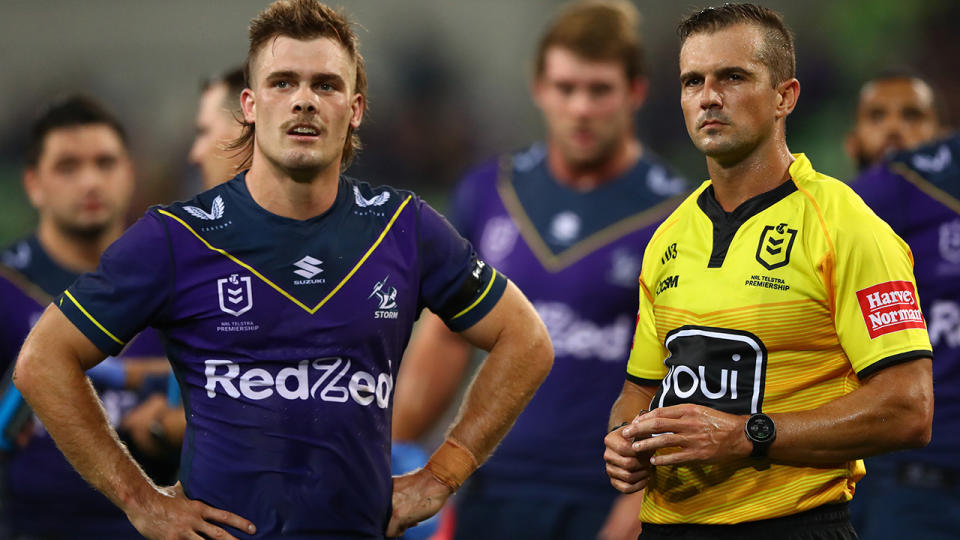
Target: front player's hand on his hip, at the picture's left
172, 516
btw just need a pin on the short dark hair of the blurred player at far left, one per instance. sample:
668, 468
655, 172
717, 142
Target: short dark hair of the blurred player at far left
69, 111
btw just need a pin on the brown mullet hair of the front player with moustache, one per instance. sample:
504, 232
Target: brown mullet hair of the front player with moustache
302, 20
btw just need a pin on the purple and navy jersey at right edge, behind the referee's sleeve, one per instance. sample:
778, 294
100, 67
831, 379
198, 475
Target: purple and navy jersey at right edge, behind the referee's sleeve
918, 194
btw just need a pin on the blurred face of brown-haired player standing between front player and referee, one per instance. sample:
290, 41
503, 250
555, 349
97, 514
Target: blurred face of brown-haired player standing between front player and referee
588, 106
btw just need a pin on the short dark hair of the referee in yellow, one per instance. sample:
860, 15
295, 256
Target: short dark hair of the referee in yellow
778, 51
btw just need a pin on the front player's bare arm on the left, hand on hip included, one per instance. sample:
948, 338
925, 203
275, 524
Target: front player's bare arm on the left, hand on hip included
50, 373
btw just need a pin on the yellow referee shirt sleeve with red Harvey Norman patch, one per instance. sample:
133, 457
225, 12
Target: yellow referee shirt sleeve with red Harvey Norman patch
876, 307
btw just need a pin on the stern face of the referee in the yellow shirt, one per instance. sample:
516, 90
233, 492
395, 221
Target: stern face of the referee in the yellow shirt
728, 102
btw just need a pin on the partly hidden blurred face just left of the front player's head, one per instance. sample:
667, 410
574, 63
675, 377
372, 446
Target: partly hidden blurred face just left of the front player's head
216, 127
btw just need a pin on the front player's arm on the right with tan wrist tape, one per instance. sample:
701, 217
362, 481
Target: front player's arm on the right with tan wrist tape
520, 356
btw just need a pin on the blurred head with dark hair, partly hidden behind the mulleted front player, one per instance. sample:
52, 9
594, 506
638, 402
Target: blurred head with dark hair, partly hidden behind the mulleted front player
218, 124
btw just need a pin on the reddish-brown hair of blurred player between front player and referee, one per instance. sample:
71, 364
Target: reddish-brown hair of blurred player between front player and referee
597, 30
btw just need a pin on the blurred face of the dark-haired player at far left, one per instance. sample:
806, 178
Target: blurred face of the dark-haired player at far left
83, 179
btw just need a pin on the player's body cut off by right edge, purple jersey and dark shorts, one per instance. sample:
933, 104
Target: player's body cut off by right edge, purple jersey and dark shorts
916, 493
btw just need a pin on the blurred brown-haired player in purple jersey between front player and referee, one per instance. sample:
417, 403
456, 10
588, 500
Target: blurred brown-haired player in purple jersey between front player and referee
567, 219
